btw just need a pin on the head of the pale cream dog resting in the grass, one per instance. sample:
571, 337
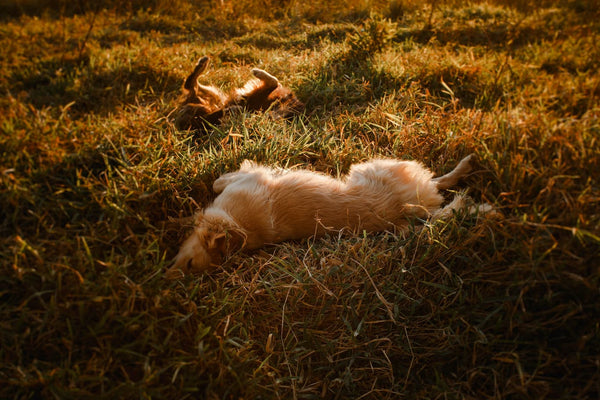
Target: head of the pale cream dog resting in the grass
206, 248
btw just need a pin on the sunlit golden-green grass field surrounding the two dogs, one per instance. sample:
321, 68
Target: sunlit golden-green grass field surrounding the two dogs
94, 178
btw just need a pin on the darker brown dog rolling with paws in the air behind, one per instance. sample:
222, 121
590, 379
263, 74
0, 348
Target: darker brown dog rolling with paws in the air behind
202, 106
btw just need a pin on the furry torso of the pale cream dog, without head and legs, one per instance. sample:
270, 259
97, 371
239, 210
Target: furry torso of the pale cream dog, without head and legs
273, 207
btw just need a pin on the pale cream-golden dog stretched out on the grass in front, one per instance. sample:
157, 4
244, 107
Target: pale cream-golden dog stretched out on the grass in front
259, 205
